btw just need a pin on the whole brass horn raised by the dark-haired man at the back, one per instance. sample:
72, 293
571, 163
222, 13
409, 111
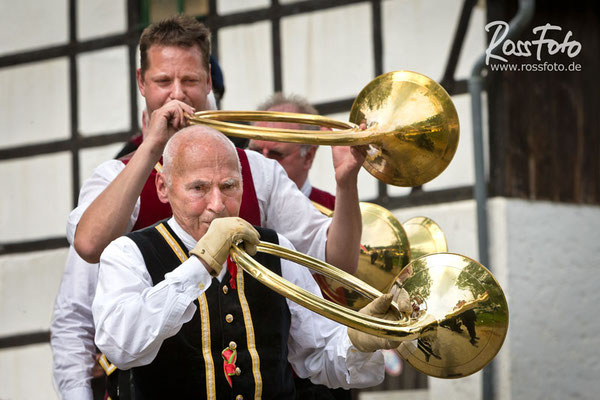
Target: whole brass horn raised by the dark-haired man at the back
412, 127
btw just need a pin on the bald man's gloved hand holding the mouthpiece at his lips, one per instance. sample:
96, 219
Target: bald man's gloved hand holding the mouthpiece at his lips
213, 247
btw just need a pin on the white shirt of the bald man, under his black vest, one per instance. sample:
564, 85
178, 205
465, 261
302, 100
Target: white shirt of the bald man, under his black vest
133, 317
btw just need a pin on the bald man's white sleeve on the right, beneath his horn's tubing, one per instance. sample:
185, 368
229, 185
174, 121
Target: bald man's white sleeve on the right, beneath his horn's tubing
319, 348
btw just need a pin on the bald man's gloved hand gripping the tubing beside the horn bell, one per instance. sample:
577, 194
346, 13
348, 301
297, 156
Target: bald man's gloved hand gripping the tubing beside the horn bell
380, 307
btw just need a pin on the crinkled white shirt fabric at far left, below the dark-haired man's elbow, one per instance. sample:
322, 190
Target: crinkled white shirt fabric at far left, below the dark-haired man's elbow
72, 329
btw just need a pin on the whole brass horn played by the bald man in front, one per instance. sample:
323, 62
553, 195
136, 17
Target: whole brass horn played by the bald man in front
460, 316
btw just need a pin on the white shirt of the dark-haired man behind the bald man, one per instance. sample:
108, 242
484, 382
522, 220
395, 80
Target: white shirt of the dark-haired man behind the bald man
283, 208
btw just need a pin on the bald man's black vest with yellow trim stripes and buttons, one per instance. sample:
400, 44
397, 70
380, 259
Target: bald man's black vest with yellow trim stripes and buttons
251, 319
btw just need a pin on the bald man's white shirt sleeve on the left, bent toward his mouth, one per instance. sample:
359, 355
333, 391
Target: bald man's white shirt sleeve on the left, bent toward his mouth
132, 316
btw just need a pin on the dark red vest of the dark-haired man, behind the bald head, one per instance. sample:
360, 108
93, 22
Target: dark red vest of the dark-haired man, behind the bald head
153, 210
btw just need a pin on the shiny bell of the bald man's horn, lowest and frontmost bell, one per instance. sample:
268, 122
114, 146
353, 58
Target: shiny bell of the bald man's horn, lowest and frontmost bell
471, 310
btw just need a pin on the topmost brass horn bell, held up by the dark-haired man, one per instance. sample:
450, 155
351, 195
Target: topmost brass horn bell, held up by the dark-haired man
416, 123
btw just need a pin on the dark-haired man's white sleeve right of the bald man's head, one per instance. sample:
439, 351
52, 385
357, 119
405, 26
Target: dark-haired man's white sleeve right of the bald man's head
285, 209
